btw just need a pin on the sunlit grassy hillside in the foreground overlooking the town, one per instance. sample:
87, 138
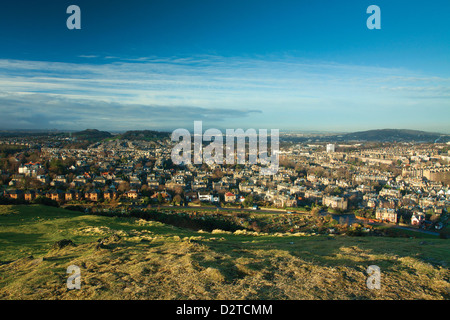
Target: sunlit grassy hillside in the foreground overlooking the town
155, 261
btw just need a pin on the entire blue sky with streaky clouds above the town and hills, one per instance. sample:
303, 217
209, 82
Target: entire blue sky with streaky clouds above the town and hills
293, 65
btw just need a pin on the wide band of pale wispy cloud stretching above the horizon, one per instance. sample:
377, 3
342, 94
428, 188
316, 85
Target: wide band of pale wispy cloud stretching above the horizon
155, 92
